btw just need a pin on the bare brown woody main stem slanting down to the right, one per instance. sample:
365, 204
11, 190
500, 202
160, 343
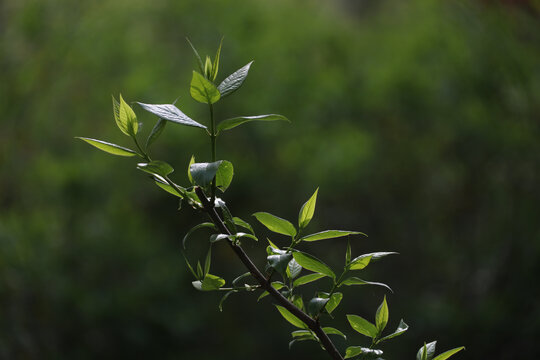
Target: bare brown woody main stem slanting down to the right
265, 284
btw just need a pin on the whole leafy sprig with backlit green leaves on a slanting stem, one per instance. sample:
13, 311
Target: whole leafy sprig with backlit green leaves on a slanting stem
208, 181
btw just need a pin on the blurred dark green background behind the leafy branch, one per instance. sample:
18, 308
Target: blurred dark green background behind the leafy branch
417, 119
